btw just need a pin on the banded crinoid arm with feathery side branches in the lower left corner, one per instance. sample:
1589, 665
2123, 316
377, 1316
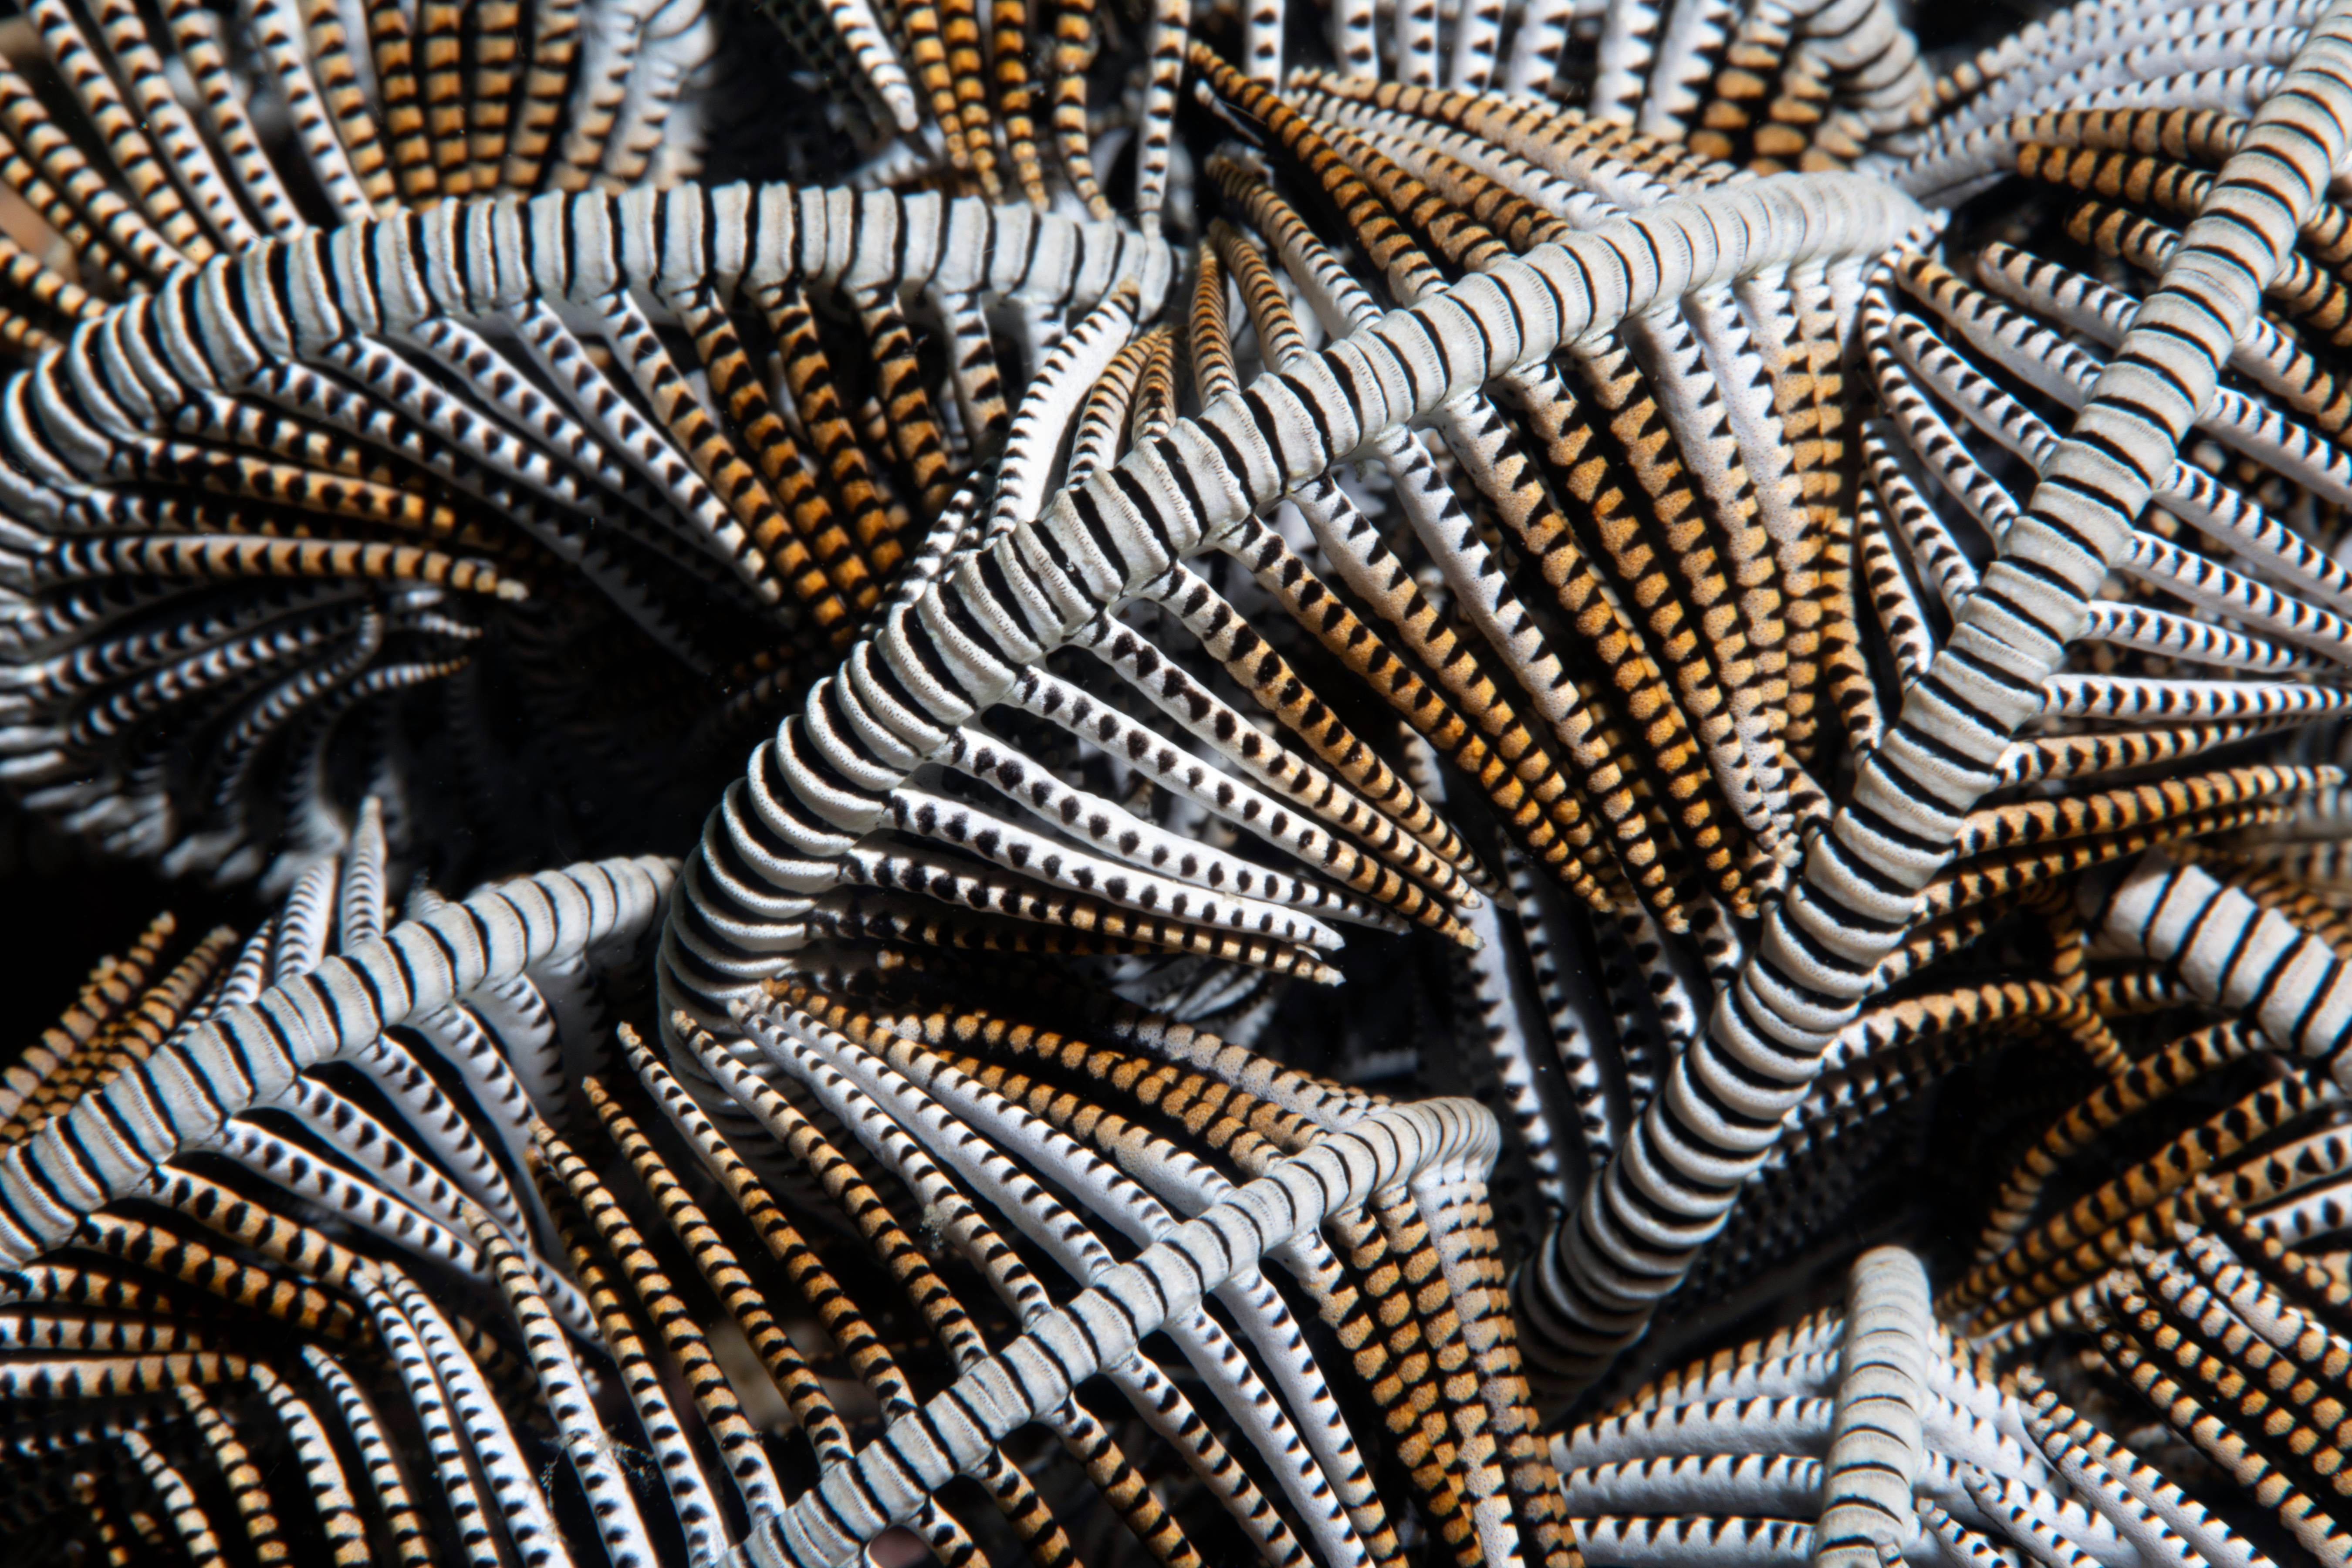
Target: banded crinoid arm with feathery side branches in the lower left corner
305, 1217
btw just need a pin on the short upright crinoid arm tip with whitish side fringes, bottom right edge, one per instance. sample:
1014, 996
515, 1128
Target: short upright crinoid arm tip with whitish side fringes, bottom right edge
1864, 1435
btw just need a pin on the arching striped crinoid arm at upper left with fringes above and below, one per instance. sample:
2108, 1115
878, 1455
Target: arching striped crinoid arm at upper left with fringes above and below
260, 568
